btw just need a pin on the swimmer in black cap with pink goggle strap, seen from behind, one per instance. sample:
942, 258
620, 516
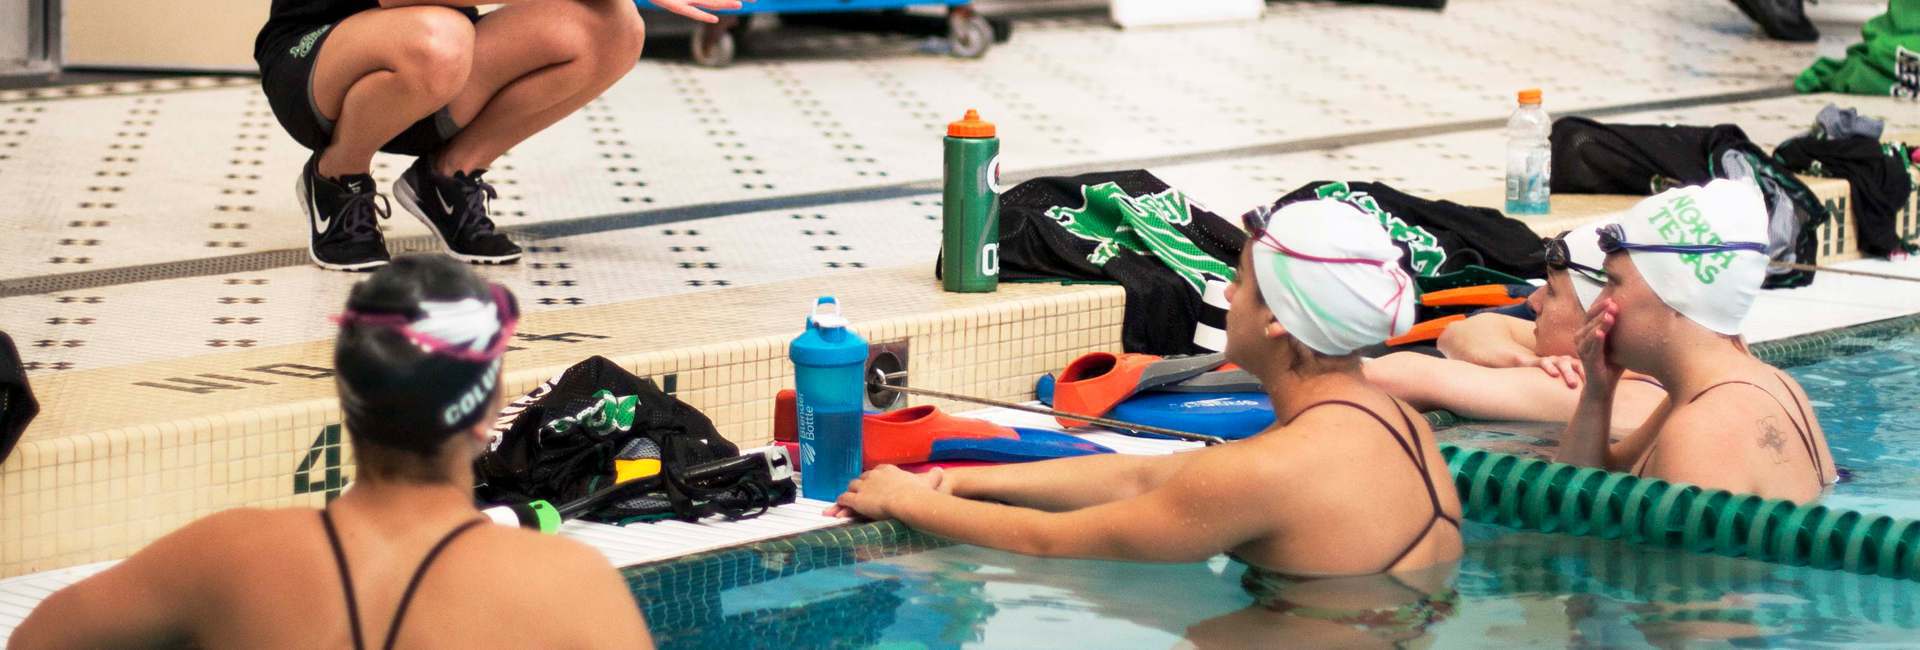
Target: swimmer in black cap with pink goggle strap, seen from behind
402, 557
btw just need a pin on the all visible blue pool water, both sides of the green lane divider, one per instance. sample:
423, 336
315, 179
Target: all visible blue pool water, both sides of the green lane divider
890, 588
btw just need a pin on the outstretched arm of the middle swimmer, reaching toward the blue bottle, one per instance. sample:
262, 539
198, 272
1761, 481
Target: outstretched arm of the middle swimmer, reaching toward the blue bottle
1216, 501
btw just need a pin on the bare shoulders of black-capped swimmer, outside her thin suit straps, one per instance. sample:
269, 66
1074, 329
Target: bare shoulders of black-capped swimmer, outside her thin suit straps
191, 584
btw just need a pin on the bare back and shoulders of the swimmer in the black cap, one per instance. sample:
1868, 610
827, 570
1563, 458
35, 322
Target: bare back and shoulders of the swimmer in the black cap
268, 580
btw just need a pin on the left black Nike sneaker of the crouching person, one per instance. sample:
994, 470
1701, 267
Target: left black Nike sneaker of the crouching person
343, 220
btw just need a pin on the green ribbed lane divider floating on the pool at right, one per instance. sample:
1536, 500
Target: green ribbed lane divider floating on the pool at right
1554, 498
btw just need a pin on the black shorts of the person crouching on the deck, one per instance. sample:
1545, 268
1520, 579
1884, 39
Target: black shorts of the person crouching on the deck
287, 78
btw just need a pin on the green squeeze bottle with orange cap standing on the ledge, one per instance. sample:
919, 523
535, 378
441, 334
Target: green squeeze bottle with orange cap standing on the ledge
971, 227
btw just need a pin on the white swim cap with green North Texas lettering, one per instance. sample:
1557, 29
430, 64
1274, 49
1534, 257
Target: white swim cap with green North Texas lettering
1714, 290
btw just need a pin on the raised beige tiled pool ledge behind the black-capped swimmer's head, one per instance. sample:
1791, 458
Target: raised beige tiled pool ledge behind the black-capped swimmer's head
74, 496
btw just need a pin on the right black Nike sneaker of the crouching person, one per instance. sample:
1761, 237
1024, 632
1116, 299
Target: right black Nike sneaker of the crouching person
458, 214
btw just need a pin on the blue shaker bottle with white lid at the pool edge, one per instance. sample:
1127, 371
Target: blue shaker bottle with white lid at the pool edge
830, 386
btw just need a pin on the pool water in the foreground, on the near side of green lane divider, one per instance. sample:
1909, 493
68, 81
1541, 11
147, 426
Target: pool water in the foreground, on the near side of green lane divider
1518, 590
